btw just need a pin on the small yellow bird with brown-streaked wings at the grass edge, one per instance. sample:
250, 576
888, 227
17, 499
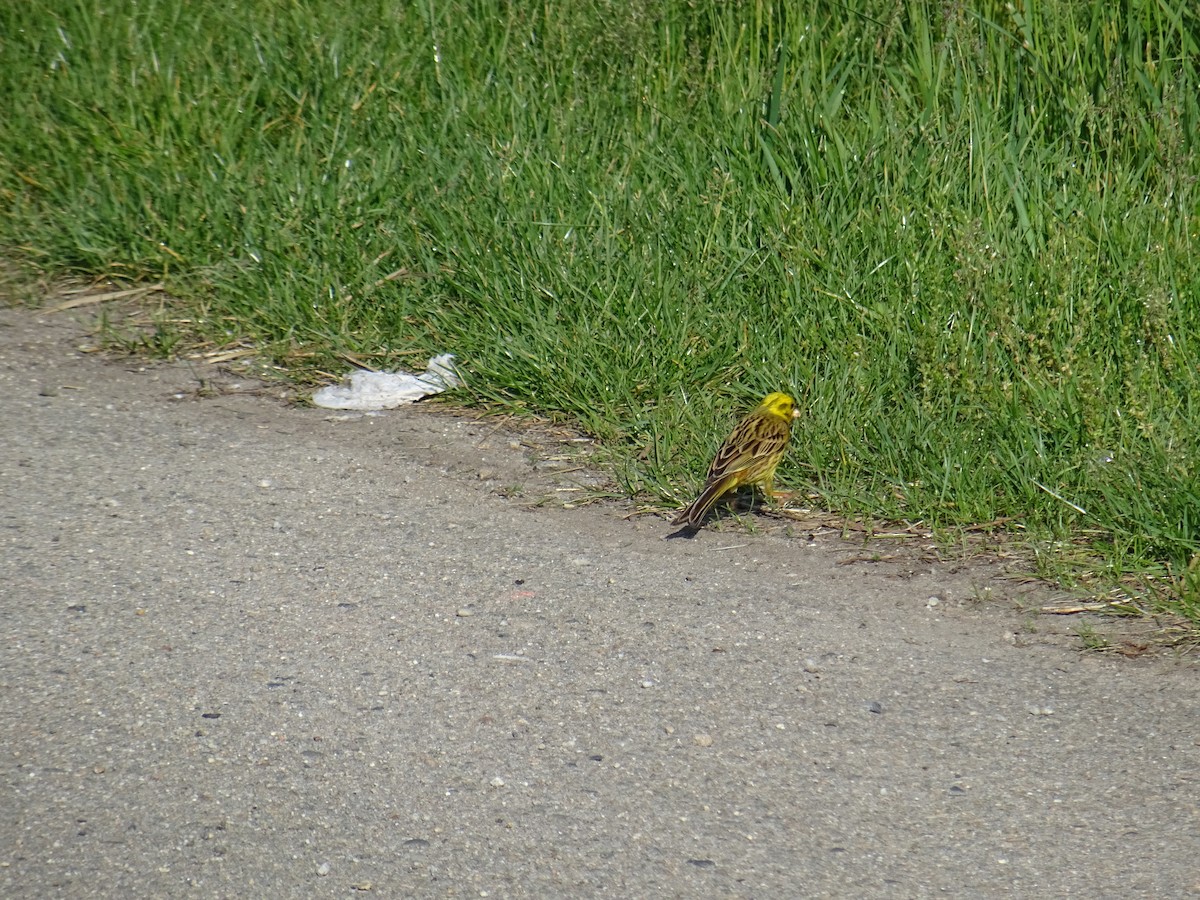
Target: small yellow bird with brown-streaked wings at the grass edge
748, 457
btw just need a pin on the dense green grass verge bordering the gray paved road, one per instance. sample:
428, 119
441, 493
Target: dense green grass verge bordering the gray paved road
968, 237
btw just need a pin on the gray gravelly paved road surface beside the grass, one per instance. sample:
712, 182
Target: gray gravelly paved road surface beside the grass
259, 650
